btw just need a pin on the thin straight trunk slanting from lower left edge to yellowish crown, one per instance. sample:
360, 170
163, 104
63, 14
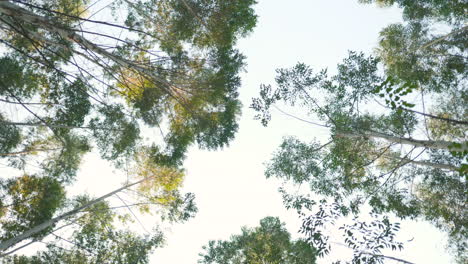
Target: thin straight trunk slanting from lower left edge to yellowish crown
27, 234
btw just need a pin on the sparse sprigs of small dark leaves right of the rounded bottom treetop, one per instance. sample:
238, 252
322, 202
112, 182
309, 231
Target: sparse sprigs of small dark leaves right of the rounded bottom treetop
366, 239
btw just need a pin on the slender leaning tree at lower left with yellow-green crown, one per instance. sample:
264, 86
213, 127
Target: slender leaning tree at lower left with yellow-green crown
158, 189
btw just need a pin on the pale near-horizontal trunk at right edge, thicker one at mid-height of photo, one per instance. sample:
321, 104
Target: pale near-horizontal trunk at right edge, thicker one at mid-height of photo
433, 144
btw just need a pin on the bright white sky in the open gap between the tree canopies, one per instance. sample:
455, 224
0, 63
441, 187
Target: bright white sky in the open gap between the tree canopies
231, 190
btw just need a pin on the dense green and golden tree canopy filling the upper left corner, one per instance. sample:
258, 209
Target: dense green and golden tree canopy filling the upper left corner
187, 90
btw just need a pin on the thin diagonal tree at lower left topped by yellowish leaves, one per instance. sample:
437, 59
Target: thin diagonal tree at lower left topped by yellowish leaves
159, 188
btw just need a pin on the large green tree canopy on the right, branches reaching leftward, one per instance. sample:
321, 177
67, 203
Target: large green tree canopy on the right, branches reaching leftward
397, 137
